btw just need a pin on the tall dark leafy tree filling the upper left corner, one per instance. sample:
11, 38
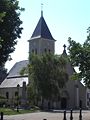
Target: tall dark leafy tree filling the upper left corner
10, 28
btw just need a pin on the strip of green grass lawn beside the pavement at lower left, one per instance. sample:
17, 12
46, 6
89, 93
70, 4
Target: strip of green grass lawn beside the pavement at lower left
8, 111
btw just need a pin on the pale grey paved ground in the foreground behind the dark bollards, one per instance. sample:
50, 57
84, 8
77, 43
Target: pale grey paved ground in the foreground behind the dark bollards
48, 116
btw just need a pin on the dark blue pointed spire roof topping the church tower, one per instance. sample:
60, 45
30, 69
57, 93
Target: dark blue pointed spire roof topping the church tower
42, 30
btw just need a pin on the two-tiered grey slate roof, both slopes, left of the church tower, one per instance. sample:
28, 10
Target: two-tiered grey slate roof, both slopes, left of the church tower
14, 78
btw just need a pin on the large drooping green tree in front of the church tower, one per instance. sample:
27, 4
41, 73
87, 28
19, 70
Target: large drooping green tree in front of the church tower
47, 76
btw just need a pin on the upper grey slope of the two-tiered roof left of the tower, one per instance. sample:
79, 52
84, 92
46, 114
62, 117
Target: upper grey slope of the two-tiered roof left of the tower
15, 70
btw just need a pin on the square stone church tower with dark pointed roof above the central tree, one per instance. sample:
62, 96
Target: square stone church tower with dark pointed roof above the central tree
41, 40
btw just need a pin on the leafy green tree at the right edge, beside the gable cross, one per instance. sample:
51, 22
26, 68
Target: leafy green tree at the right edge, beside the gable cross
80, 57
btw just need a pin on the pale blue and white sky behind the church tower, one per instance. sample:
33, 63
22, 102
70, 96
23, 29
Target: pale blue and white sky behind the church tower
65, 18
